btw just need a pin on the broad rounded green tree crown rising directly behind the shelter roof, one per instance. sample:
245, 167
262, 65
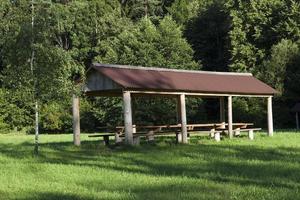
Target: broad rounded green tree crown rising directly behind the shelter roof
146, 44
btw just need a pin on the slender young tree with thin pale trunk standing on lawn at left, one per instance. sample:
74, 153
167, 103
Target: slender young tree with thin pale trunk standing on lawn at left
34, 67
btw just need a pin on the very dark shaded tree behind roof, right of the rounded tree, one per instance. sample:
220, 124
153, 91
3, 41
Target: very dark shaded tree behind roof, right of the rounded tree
207, 32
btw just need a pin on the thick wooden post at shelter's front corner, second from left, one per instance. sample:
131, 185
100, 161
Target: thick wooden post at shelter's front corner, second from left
127, 118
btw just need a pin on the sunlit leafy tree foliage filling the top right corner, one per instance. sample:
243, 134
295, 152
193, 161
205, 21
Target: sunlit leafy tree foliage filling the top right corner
257, 26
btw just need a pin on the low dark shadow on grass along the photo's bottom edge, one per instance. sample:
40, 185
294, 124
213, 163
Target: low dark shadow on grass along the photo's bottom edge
159, 191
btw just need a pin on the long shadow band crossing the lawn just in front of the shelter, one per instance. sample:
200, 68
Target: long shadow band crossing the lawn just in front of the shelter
222, 163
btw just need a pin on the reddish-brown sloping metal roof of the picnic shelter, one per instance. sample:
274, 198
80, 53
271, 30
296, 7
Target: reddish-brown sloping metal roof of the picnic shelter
142, 78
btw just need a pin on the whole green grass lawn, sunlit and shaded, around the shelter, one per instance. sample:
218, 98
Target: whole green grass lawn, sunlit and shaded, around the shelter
266, 168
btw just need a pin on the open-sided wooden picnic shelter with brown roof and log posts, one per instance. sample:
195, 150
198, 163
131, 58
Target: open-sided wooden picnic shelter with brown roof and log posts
131, 81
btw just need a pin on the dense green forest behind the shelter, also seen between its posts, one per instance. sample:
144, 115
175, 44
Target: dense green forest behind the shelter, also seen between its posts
47, 45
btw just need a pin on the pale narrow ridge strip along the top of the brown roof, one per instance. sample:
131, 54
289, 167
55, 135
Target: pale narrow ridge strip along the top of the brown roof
169, 70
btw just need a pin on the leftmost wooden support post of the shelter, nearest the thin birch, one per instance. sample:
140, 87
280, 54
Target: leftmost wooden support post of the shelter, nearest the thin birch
76, 121
